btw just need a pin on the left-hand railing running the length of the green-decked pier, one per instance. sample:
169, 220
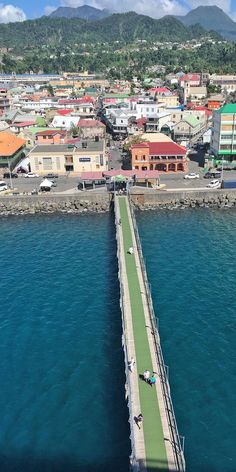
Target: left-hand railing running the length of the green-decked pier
133, 457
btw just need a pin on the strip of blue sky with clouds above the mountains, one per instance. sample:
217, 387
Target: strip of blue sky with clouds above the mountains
19, 10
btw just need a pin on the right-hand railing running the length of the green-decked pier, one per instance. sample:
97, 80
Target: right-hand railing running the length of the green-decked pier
177, 446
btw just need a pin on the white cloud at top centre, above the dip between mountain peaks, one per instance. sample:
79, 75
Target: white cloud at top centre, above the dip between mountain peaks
153, 8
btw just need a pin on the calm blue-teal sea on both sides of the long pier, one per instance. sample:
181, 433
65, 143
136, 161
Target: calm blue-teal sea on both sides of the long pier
62, 404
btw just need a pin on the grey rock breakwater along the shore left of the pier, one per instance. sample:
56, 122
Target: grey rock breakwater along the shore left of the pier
46, 204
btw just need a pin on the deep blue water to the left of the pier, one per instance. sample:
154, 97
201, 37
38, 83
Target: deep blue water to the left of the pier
62, 404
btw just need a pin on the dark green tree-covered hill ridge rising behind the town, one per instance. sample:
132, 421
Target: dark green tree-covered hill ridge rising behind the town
118, 27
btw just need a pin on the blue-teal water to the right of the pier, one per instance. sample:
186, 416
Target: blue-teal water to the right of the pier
191, 264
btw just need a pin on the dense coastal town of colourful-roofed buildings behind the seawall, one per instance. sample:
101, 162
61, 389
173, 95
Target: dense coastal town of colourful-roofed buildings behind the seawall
78, 131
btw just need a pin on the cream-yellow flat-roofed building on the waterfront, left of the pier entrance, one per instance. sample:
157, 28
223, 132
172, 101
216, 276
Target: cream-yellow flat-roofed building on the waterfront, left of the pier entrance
87, 156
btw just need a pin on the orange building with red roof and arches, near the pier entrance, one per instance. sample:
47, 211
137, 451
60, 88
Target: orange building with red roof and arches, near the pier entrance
162, 156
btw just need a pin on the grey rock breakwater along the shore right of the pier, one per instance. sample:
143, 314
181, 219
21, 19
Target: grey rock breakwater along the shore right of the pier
184, 199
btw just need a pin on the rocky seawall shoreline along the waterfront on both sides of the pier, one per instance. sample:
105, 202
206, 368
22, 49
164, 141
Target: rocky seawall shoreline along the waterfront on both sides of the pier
101, 202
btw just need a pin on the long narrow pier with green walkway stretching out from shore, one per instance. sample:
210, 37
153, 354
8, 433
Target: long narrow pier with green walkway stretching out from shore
155, 442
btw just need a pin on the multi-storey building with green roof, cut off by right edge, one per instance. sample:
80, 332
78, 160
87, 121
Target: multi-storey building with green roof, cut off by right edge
223, 141
